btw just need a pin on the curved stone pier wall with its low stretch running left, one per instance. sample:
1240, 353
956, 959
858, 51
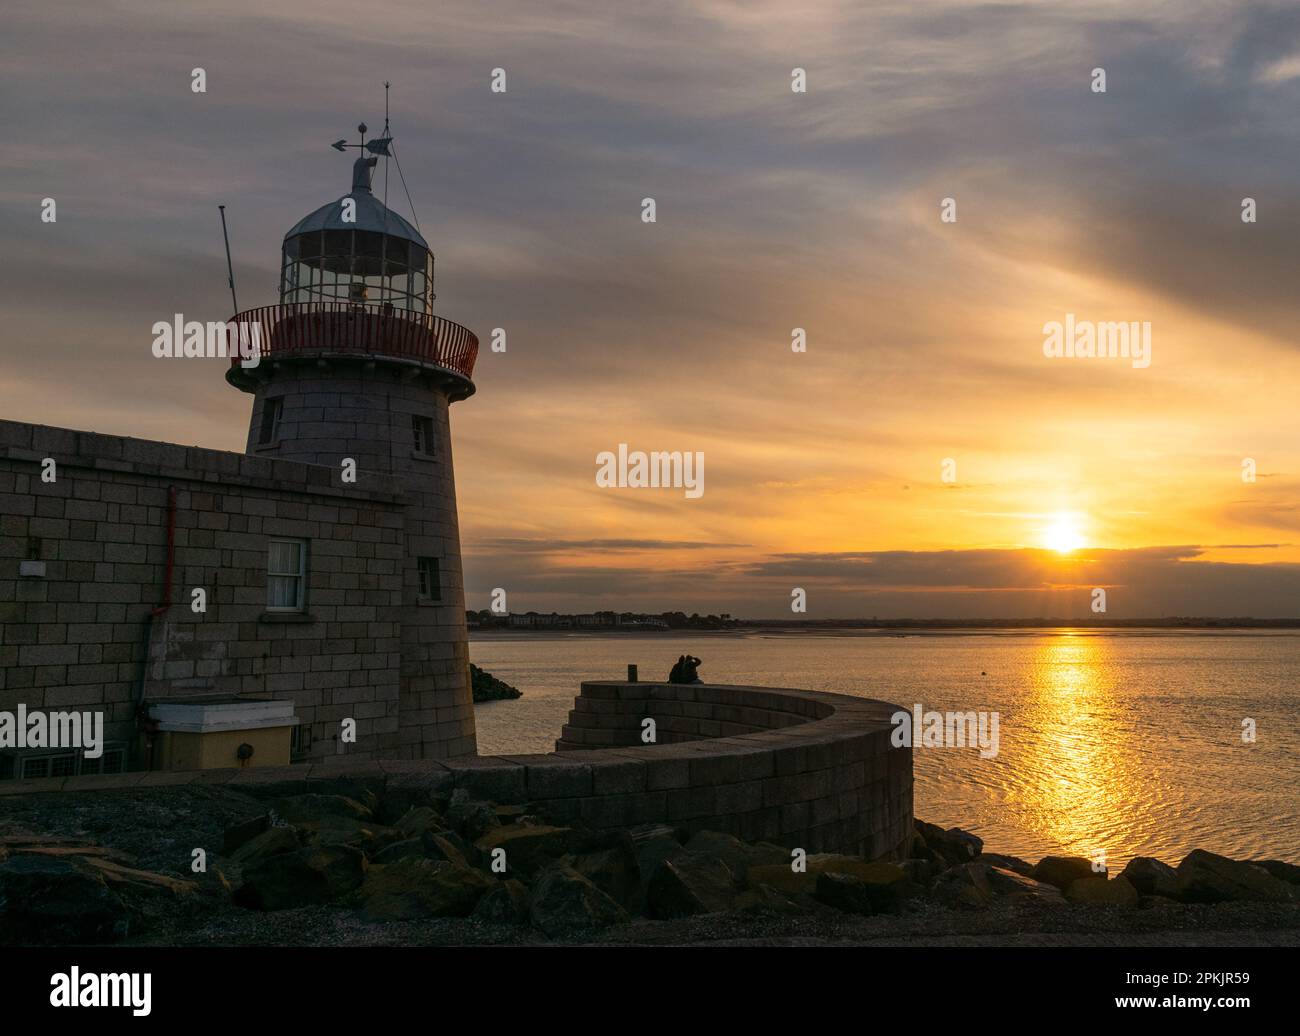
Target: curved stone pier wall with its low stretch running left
800, 769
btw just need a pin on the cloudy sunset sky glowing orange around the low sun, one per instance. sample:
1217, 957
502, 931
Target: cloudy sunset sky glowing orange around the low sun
922, 458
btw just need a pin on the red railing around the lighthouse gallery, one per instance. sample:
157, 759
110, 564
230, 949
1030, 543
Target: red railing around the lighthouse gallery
374, 331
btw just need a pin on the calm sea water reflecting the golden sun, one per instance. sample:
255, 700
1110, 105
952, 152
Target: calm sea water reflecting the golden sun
1126, 744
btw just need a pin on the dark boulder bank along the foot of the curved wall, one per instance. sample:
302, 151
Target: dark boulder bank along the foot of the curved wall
396, 859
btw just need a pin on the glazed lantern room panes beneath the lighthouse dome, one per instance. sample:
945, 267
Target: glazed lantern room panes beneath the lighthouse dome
361, 267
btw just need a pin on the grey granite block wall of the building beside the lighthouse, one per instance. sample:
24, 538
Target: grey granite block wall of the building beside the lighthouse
79, 635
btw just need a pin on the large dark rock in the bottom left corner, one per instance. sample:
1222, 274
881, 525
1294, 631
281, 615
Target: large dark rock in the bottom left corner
51, 901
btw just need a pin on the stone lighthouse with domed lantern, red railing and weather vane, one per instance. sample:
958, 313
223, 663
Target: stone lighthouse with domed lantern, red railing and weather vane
357, 367
